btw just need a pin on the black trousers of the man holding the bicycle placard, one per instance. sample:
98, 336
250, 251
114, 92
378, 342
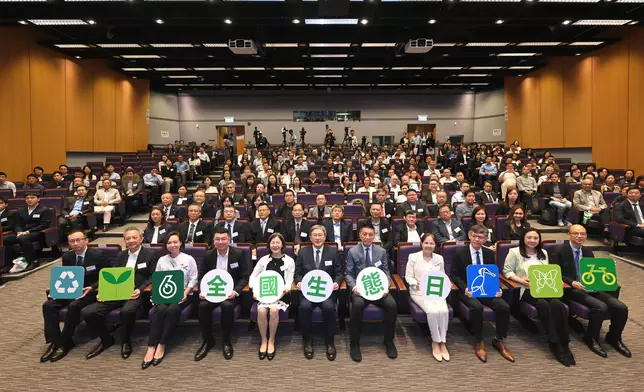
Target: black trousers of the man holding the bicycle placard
602, 305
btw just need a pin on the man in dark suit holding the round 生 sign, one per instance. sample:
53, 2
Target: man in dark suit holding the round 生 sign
326, 258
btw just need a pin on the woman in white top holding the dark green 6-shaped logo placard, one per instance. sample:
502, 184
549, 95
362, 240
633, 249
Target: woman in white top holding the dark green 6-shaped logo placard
167, 316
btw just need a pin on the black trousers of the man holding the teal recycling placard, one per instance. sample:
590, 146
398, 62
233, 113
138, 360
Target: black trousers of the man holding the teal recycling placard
50, 310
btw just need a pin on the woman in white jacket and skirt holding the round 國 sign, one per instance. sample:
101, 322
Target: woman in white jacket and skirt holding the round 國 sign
284, 265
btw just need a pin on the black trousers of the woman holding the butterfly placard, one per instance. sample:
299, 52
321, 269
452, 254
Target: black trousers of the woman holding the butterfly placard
553, 315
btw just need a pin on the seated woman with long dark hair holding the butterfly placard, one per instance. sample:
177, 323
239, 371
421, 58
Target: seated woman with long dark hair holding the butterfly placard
552, 312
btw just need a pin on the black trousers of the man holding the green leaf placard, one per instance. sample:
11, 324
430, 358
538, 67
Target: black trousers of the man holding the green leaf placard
94, 316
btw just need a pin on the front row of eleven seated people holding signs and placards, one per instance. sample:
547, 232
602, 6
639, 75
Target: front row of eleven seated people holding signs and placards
551, 312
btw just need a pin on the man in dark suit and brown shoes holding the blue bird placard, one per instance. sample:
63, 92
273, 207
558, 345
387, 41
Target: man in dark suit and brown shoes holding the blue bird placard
476, 254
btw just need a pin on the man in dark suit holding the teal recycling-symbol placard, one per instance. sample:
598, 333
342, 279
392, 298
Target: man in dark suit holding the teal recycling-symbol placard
93, 261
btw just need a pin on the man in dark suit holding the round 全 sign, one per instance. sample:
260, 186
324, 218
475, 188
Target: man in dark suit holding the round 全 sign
231, 259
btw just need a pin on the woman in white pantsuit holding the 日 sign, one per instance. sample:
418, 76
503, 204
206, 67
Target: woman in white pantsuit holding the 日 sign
436, 309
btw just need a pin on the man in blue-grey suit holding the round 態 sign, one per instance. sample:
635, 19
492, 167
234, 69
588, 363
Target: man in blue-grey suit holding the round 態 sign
364, 255
